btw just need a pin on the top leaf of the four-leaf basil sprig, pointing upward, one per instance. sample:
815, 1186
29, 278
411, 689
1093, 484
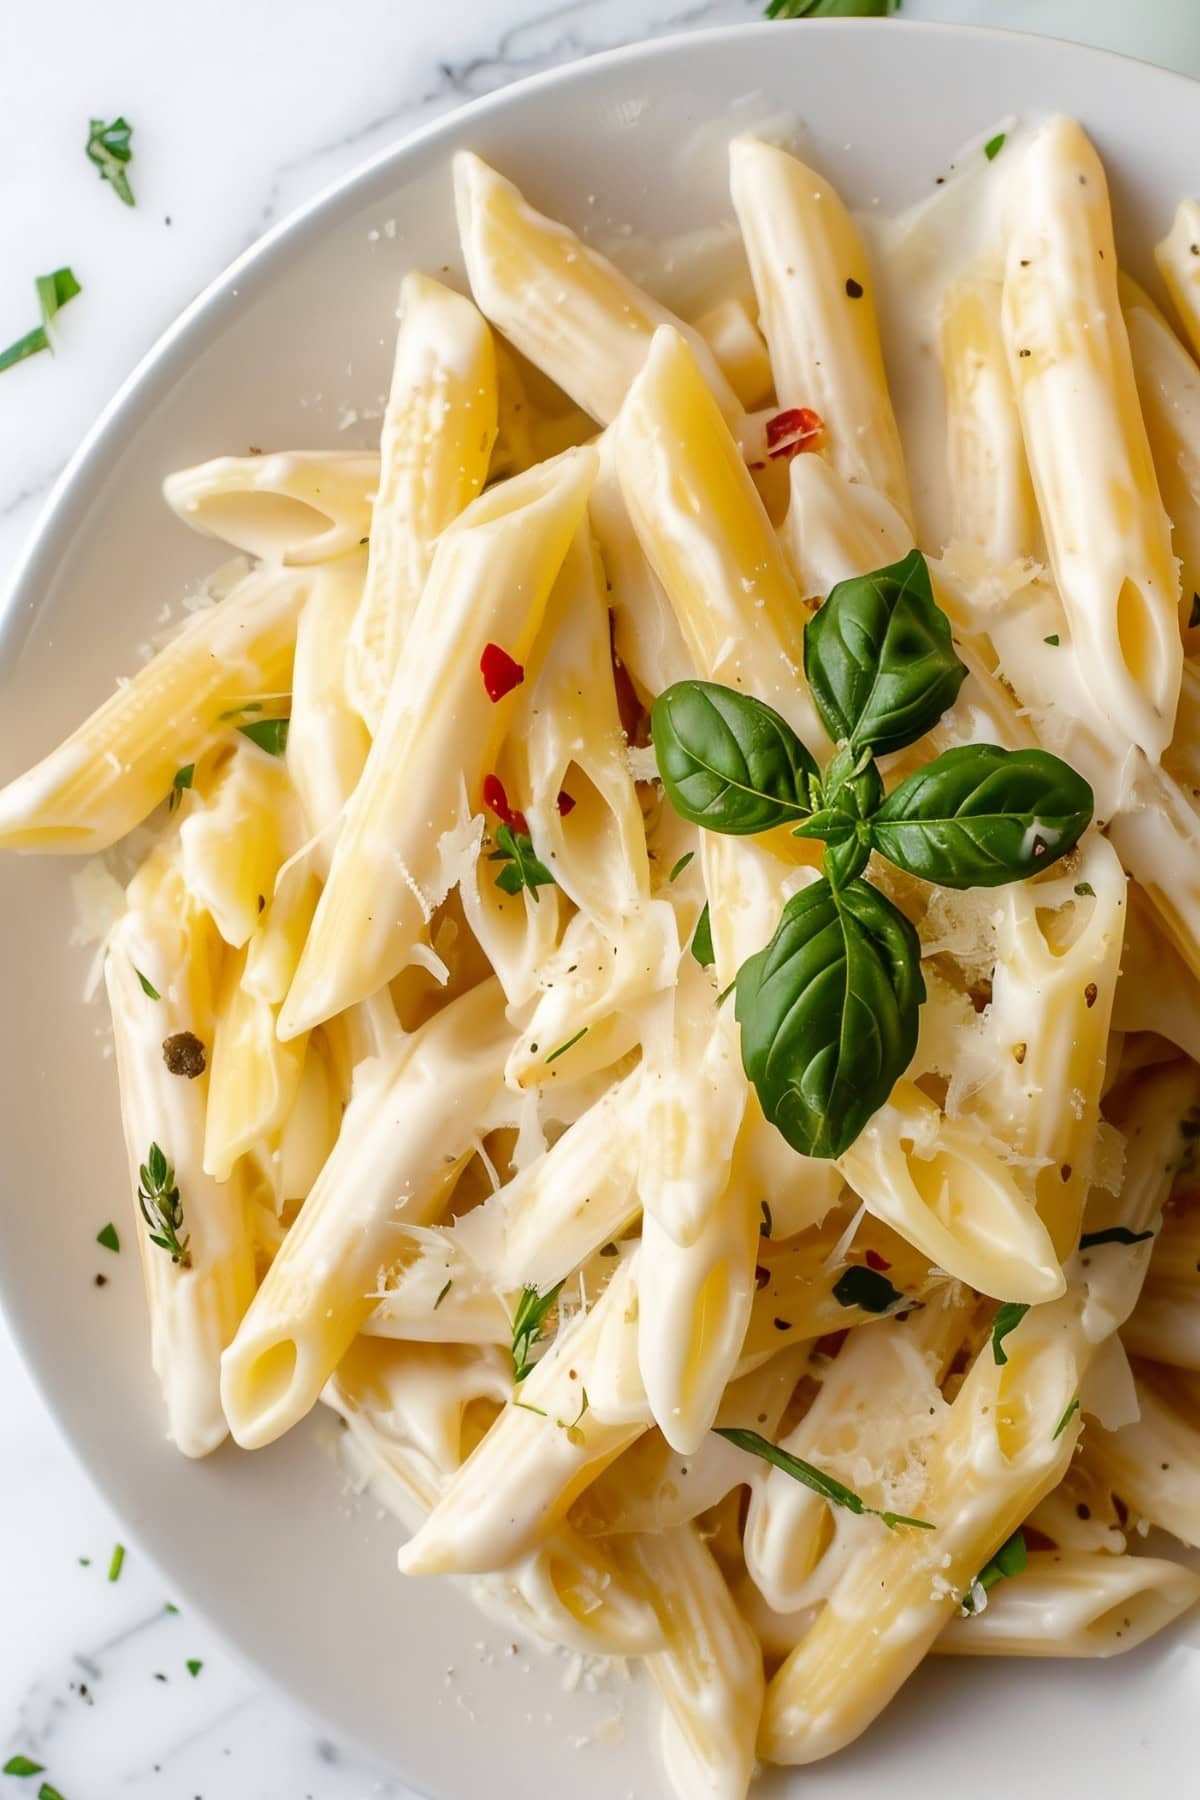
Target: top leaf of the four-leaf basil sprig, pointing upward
881, 661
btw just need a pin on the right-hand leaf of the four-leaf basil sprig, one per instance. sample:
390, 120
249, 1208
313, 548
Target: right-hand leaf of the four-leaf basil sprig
981, 816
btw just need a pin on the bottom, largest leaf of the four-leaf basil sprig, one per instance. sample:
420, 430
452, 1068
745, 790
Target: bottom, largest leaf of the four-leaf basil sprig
828, 1014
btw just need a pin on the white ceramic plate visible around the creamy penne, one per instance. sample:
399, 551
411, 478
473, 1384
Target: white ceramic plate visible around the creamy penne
273, 1547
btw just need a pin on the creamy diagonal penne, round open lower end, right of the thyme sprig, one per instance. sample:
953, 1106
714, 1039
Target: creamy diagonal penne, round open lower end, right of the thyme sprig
404, 1137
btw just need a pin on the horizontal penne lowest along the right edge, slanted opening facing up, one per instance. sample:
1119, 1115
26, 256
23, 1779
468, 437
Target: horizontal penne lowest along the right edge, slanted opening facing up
1075, 1605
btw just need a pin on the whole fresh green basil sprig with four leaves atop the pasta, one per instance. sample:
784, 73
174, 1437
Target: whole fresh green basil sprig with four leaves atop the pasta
830, 1009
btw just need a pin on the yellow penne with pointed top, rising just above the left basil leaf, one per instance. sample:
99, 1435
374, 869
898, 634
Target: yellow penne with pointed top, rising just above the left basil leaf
708, 537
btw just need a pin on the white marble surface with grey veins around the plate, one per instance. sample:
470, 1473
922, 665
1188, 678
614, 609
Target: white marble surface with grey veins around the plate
242, 111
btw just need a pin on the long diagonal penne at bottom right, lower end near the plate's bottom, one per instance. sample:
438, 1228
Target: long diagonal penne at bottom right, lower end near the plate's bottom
998, 1450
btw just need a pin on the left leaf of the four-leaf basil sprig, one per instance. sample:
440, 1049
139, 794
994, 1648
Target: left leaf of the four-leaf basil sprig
730, 762
